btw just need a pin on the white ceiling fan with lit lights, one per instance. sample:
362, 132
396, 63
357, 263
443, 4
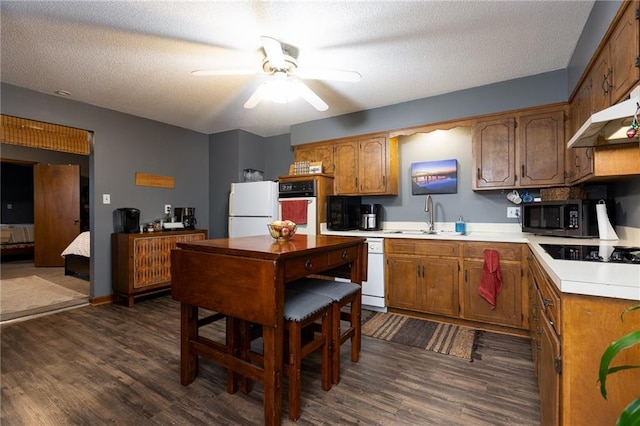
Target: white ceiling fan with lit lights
281, 64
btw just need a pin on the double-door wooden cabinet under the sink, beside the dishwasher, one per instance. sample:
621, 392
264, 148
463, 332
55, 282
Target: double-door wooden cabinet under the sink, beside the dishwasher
424, 276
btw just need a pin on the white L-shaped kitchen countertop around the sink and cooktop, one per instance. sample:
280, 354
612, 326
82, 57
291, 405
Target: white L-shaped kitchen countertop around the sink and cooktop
603, 279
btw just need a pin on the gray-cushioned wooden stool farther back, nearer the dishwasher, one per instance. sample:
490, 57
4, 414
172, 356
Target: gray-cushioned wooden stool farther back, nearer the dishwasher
342, 294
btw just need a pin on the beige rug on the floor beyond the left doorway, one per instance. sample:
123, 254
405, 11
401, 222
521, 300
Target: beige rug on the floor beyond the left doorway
24, 296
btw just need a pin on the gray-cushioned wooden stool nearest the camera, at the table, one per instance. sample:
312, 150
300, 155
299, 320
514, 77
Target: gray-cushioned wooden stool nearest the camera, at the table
302, 313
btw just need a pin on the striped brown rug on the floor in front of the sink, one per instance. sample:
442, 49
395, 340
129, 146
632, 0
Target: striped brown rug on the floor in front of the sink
448, 339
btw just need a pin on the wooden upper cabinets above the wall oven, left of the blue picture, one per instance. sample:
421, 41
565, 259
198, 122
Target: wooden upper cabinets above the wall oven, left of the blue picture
360, 166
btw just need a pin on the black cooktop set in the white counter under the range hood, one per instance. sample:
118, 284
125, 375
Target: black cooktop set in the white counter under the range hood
612, 254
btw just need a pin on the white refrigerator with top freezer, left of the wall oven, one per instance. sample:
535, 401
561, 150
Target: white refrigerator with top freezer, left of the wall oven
252, 205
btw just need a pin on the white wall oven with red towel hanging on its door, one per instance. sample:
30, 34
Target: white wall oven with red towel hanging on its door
299, 199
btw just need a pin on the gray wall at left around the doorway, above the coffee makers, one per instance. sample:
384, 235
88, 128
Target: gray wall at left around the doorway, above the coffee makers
123, 145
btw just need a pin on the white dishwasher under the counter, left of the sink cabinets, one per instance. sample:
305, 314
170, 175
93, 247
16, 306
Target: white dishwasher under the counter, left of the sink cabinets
373, 289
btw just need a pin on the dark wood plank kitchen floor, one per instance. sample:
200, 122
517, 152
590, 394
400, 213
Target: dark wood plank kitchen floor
118, 365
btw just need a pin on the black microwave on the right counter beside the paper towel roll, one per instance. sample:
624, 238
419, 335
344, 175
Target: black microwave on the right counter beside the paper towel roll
570, 218
